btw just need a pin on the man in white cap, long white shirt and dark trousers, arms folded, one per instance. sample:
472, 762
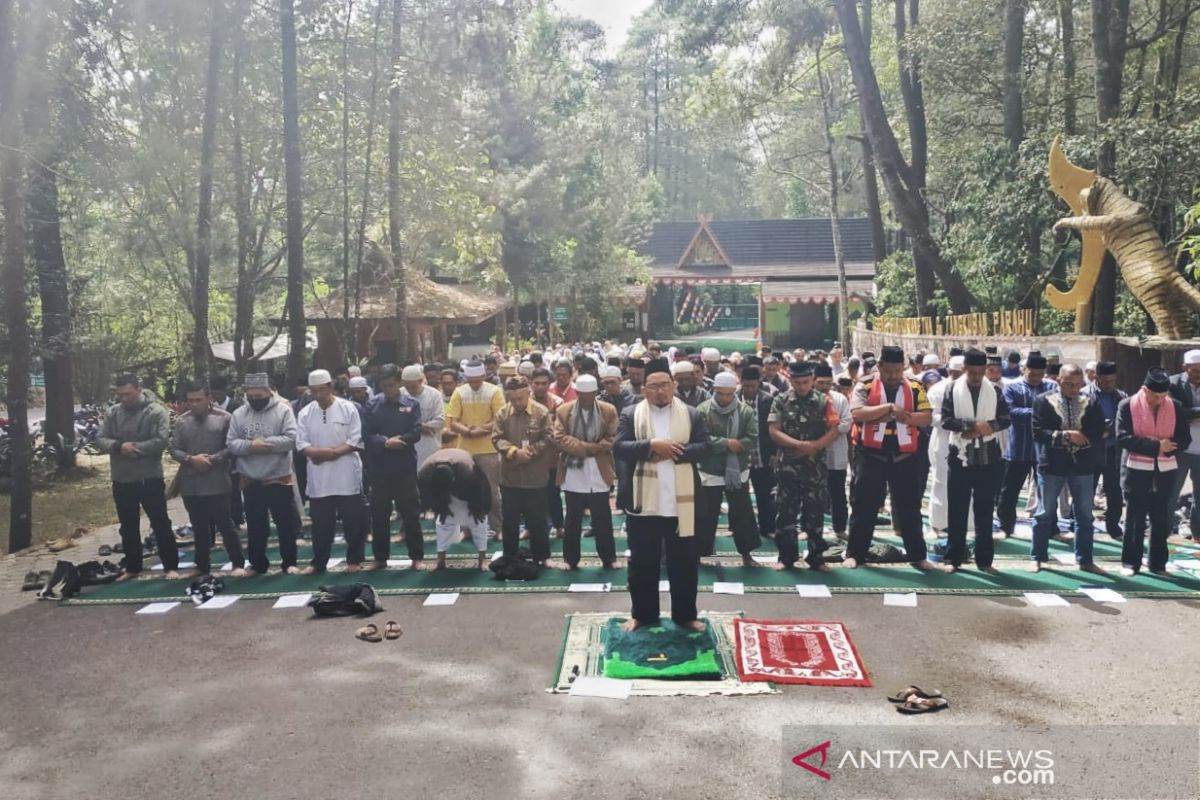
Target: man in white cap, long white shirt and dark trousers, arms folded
329, 434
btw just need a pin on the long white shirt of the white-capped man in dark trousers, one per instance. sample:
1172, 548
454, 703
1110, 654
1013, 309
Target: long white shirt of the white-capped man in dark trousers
332, 428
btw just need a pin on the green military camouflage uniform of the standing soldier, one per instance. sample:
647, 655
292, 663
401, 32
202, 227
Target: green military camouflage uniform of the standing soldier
803, 484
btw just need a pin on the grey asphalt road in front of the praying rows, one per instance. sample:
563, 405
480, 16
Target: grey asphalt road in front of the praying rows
250, 702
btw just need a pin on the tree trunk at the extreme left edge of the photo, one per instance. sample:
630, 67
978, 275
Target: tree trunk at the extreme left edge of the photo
14, 282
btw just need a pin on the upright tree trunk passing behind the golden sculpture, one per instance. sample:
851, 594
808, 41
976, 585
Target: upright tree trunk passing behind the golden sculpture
1111, 25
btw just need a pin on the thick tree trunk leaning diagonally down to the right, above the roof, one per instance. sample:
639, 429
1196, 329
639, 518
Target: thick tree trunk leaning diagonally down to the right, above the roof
898, 176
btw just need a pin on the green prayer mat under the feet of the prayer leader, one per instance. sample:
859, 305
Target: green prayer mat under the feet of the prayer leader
665, 652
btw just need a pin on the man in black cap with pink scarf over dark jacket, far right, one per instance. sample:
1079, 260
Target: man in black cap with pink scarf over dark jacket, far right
1153, 428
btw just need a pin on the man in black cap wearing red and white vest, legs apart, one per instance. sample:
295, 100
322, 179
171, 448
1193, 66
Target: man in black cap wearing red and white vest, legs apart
889, 416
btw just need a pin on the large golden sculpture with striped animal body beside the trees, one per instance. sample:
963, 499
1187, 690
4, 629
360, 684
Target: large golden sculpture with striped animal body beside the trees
1108, 220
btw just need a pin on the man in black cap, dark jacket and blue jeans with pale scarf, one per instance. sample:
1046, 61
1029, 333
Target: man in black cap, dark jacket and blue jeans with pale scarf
1069, 429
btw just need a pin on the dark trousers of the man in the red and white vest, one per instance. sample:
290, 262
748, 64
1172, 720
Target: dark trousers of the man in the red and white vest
874, 478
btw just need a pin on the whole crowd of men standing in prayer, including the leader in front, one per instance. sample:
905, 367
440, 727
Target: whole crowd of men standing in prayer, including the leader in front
527, 444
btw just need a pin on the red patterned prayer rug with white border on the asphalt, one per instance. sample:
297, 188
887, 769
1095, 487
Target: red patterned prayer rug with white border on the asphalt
799, 653
